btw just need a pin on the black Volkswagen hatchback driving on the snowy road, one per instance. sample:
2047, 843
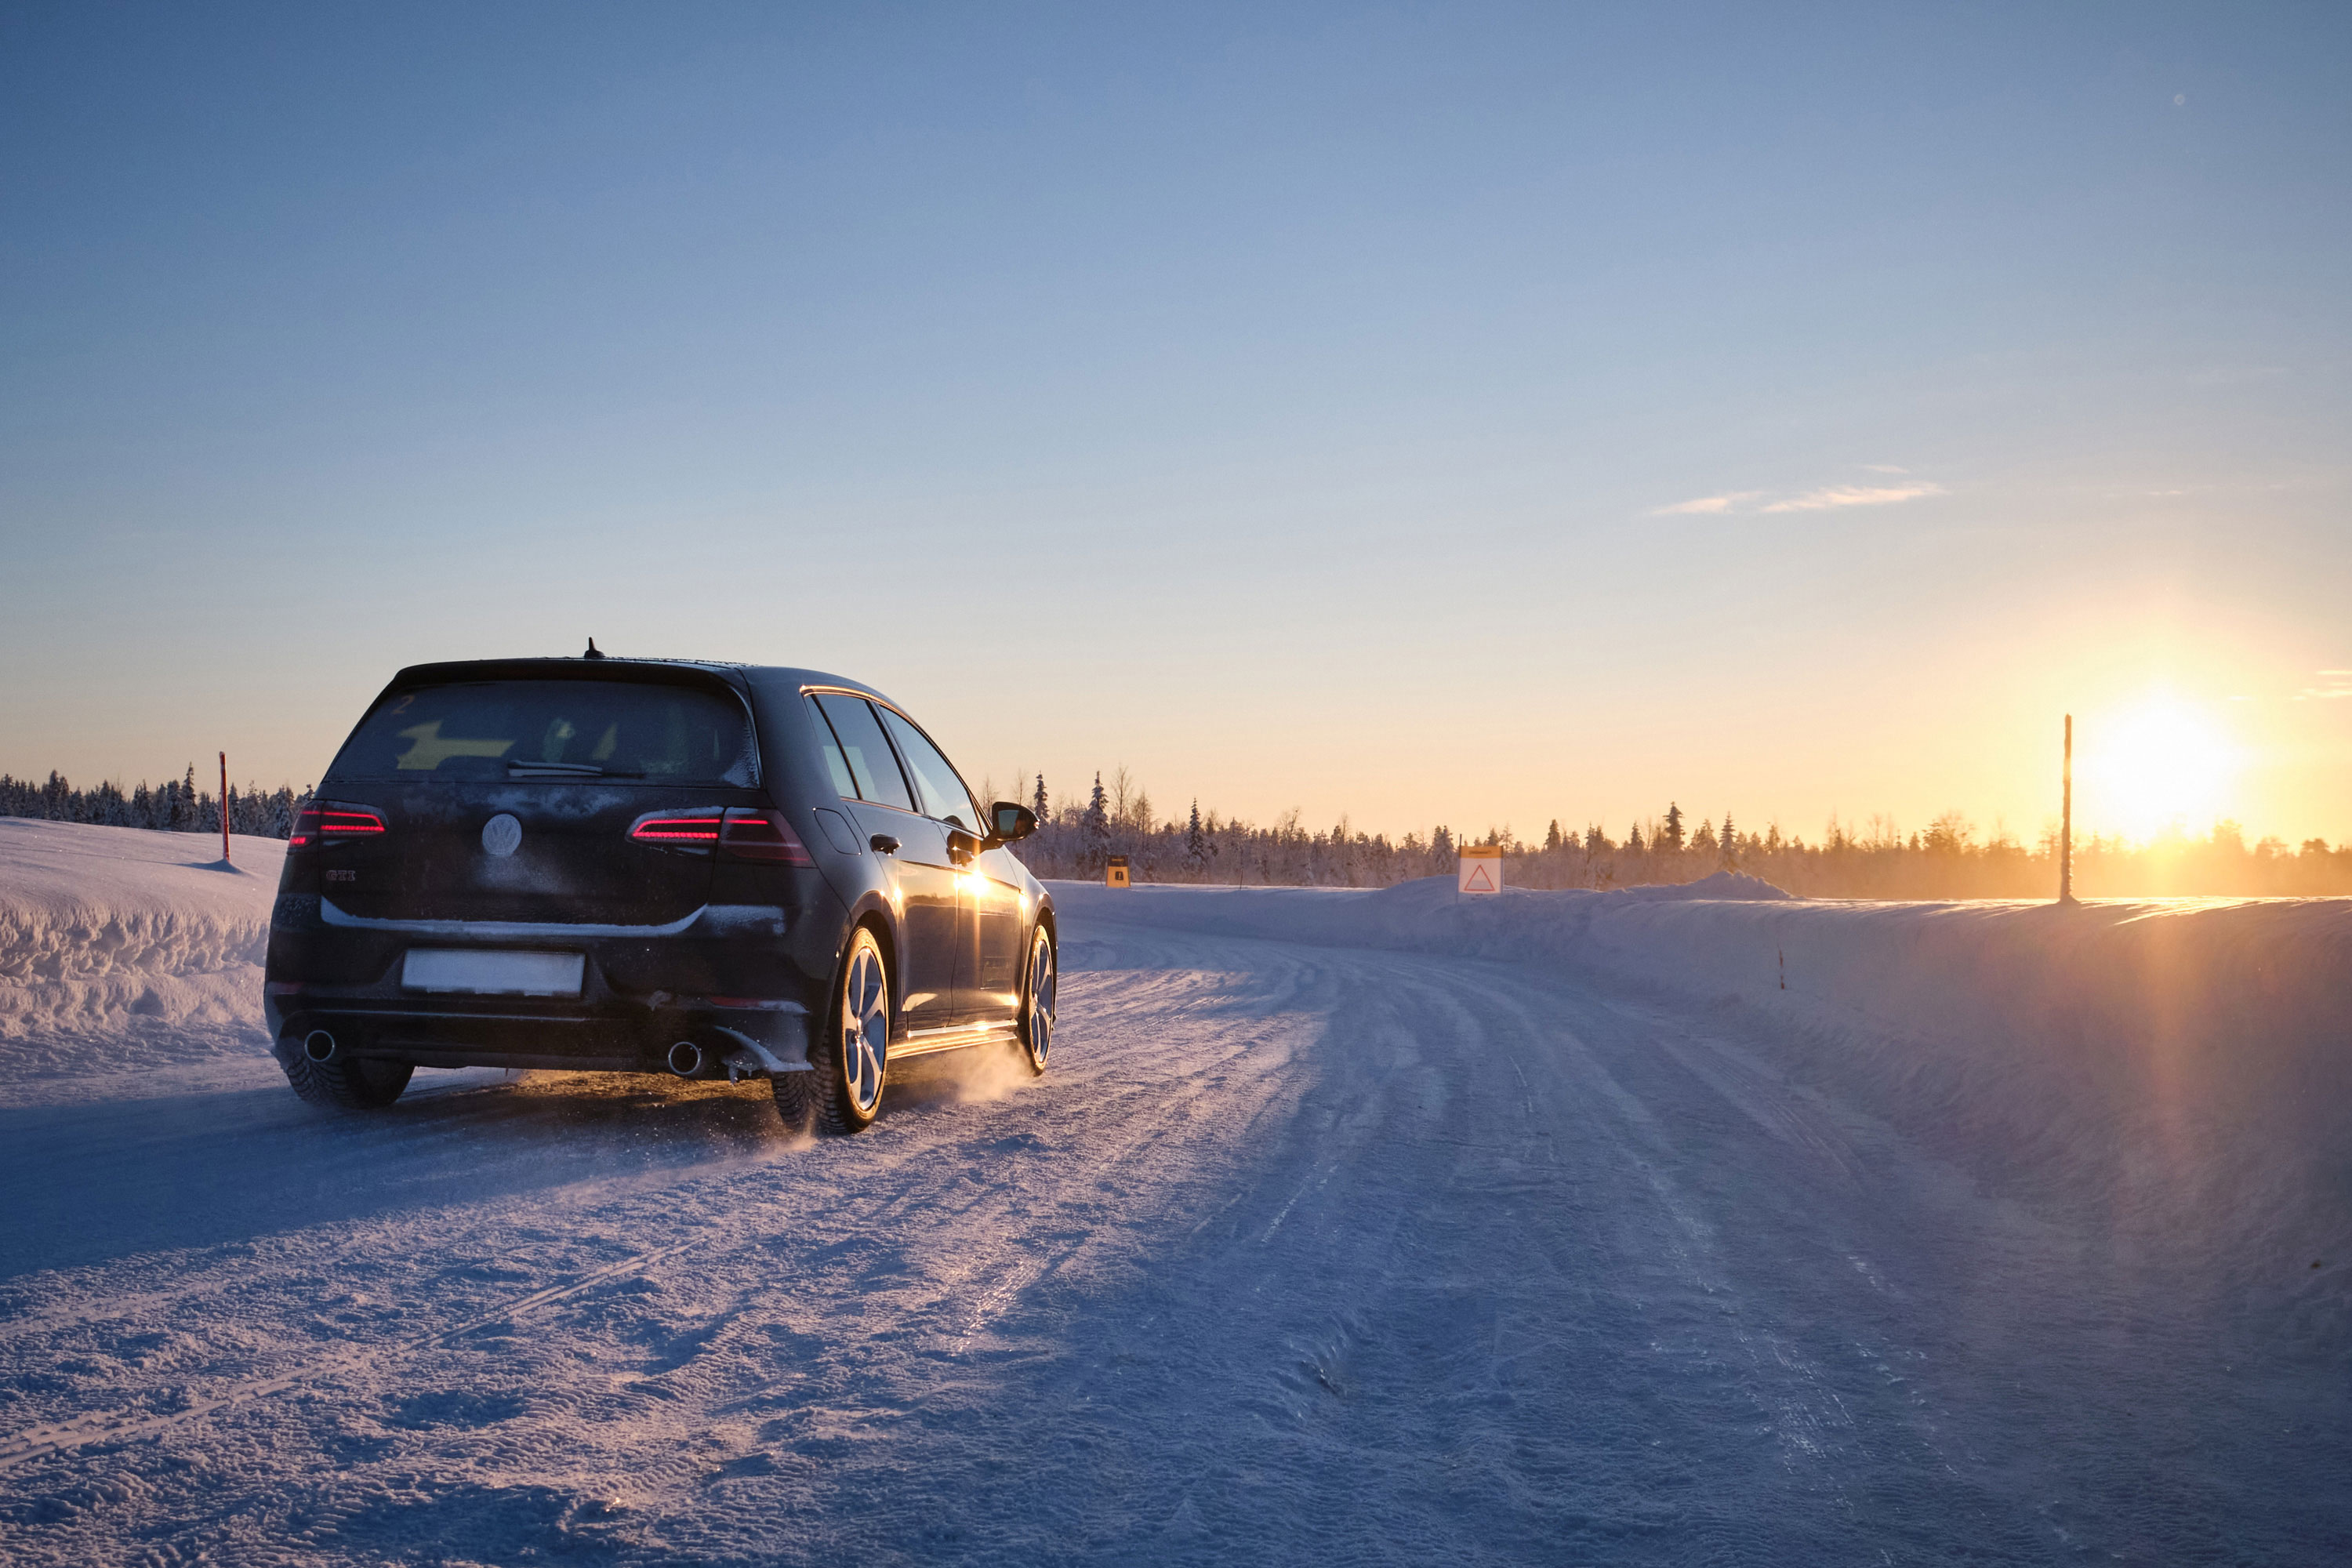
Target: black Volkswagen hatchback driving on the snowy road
650, 866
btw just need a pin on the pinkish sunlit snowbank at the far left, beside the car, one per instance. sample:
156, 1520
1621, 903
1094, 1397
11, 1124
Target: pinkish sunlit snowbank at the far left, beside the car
123, 946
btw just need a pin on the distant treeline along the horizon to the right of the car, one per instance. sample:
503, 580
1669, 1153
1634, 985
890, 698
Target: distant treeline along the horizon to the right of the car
1876, 862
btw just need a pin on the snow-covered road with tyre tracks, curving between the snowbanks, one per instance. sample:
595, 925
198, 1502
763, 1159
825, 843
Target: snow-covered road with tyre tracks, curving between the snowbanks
1302, 1254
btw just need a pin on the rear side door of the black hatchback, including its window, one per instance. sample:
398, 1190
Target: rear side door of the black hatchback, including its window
928, 883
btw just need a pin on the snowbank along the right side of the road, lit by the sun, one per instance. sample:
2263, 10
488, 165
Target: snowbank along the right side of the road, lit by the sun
2179, 1066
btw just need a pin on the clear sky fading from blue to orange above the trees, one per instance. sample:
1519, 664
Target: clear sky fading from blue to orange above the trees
1464, 415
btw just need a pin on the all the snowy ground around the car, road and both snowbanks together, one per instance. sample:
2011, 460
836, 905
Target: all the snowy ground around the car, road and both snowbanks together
1349, 1228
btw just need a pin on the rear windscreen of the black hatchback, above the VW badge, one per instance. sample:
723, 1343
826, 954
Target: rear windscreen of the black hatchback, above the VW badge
554, 730
